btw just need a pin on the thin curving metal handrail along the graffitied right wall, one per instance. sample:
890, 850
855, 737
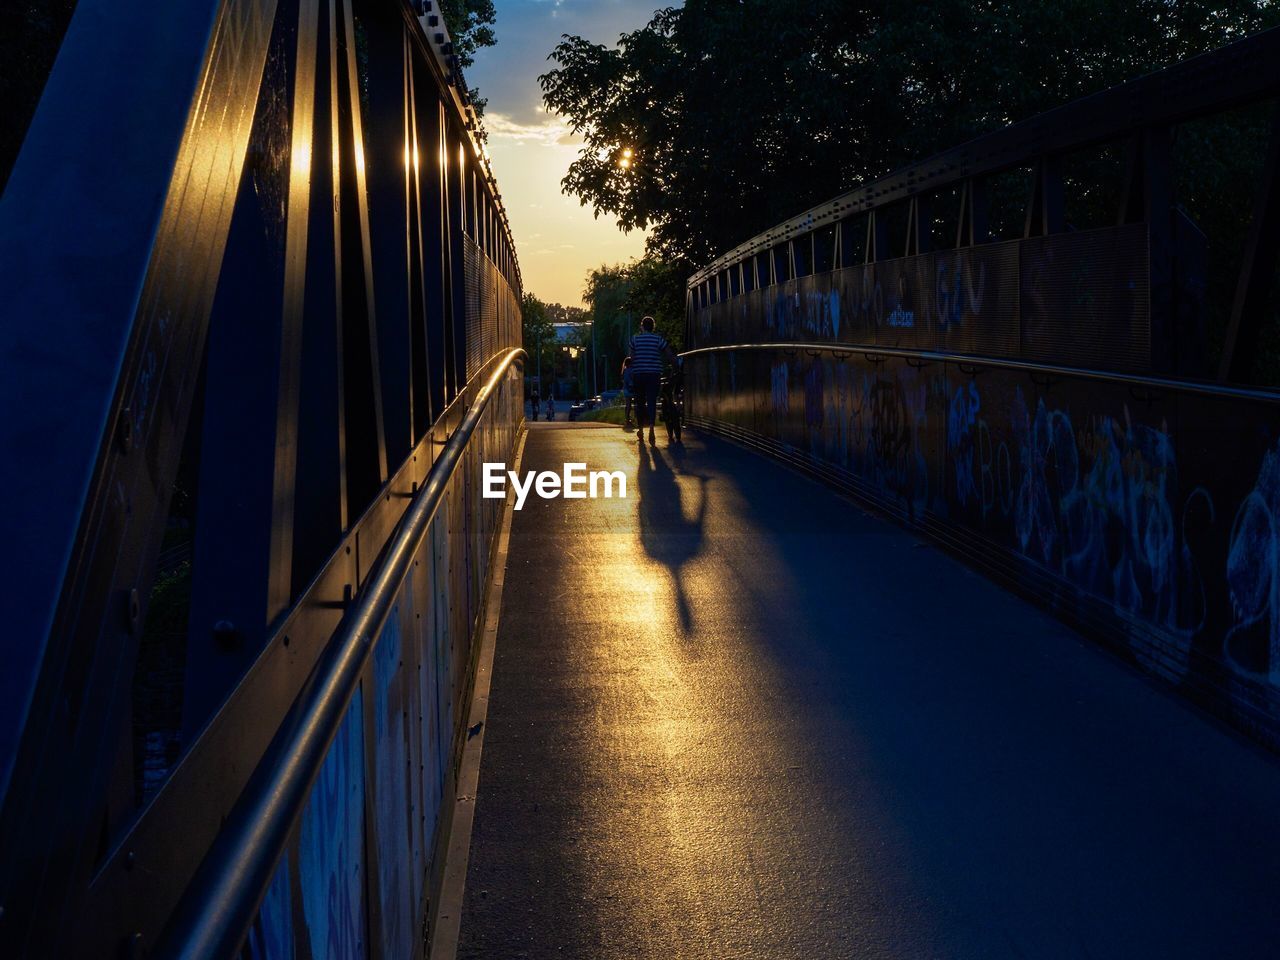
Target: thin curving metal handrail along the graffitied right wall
1163, 383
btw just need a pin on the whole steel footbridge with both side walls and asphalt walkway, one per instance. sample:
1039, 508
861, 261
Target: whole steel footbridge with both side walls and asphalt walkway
953, 629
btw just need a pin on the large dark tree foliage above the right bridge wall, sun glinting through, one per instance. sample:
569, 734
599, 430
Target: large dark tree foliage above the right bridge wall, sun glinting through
742, 115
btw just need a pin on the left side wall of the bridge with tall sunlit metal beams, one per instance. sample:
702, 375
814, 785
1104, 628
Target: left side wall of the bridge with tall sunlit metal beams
254, 269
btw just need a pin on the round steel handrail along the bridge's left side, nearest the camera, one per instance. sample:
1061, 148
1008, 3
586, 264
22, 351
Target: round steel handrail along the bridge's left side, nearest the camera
218, 908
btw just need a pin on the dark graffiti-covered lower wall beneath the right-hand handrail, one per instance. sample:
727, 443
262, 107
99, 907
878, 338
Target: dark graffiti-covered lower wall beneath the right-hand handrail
1149, 516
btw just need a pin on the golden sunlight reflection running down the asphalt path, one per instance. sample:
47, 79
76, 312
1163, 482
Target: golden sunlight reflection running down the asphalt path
687, 847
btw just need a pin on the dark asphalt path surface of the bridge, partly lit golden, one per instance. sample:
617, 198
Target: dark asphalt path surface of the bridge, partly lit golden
734, 716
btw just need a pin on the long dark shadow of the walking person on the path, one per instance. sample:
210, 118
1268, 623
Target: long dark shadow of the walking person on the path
666, 533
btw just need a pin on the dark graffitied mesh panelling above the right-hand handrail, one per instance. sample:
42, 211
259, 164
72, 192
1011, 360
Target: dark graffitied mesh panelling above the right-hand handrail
1075, 299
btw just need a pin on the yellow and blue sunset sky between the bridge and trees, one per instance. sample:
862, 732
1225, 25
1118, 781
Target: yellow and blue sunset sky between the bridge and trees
557, 240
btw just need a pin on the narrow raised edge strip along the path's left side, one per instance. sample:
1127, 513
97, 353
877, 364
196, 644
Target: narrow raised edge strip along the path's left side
447, 917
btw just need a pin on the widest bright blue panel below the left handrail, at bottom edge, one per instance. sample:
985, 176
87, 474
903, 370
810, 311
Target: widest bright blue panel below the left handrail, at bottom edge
332, 853
